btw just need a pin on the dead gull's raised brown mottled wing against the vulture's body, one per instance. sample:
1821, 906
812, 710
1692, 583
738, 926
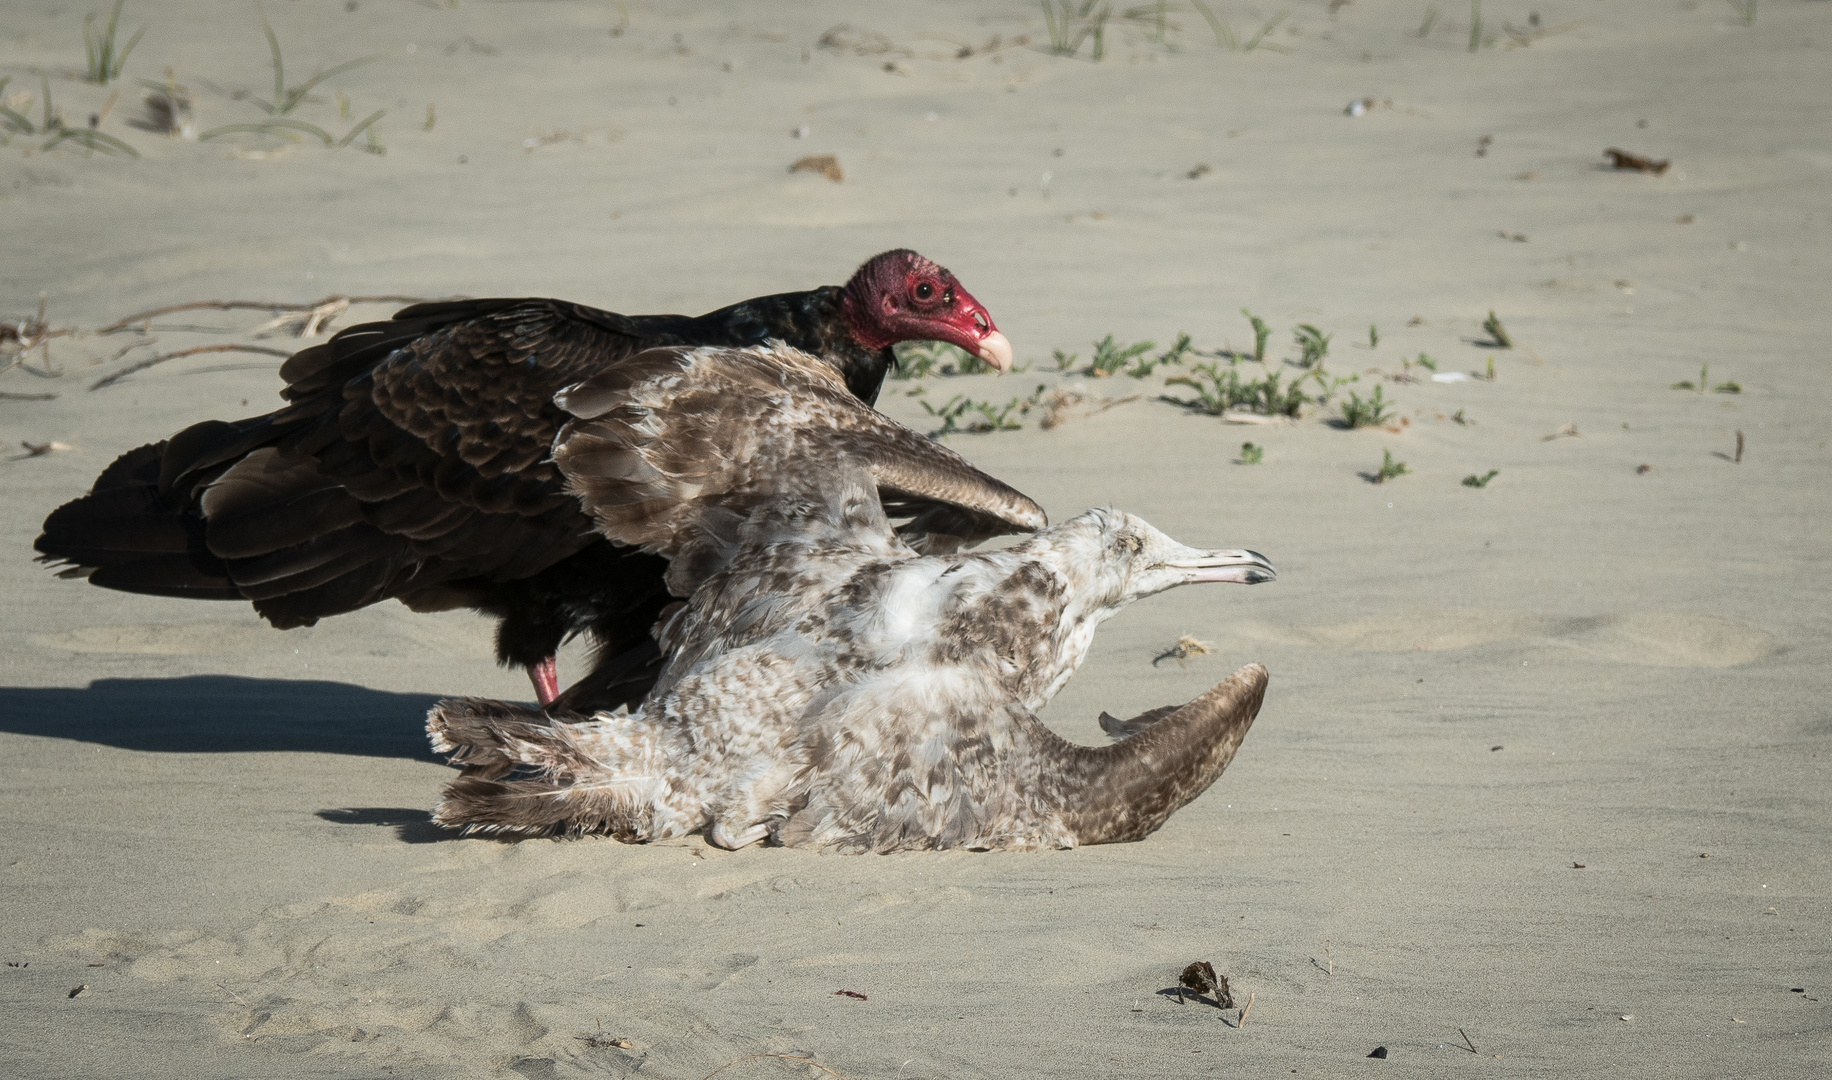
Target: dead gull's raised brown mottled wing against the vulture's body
666, 442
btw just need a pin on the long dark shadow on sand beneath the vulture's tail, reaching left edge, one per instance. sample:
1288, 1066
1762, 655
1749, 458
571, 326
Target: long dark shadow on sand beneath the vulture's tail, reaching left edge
224, 715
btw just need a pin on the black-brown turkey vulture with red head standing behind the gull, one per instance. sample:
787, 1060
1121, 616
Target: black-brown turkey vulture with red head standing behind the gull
413, 460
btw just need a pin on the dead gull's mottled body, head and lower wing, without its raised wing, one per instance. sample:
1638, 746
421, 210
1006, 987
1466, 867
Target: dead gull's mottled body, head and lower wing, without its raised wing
831, 687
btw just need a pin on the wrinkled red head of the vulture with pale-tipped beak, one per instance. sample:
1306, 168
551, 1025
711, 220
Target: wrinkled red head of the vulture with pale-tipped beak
900, 296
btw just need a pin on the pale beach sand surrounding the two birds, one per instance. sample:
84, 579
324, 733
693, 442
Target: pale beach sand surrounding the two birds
1507, 728
